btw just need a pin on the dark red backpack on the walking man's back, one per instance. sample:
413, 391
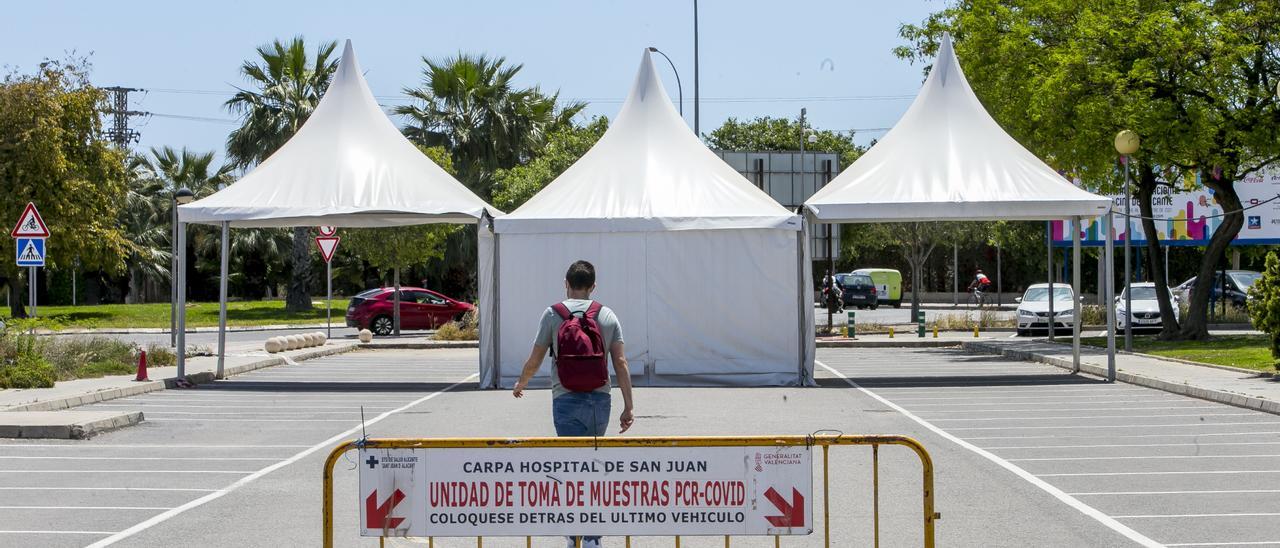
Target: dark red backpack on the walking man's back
580, 362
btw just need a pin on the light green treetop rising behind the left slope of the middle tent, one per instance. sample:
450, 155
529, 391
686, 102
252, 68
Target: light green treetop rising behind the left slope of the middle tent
515, 186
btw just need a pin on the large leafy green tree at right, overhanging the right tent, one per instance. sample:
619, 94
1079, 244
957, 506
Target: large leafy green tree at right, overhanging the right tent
1195, 79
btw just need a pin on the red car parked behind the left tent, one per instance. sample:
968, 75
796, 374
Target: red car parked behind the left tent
420, 309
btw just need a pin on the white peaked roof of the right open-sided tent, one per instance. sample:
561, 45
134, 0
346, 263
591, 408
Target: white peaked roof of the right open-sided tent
949, 161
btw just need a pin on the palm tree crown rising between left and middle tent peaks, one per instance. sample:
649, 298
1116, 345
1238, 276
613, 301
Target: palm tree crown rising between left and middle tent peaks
470, 106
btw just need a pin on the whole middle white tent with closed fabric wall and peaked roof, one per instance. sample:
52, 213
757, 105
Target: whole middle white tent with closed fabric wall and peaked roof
706, 272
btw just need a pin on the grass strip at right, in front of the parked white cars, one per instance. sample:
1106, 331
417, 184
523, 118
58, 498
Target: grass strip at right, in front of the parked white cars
1237, 351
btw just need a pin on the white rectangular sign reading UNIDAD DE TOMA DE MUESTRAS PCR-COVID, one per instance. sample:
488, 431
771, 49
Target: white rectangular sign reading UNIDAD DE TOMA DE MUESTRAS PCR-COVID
609, 491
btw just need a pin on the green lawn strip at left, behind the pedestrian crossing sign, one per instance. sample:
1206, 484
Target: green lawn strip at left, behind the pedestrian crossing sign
199, 314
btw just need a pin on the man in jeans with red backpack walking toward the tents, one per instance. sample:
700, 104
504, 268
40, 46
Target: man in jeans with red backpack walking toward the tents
580, 332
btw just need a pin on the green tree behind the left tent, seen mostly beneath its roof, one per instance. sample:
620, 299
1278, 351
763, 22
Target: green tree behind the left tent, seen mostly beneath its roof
396, 249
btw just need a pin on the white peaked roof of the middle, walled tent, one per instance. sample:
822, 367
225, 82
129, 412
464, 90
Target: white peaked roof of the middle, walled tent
648, 173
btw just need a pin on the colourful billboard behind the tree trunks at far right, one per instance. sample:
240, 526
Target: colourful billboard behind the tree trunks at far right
1187, 214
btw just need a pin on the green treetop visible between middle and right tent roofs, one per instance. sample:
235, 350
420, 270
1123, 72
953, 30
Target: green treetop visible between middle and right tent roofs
767, 134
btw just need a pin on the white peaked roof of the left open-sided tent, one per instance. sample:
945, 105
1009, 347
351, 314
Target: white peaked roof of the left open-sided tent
348, 167
